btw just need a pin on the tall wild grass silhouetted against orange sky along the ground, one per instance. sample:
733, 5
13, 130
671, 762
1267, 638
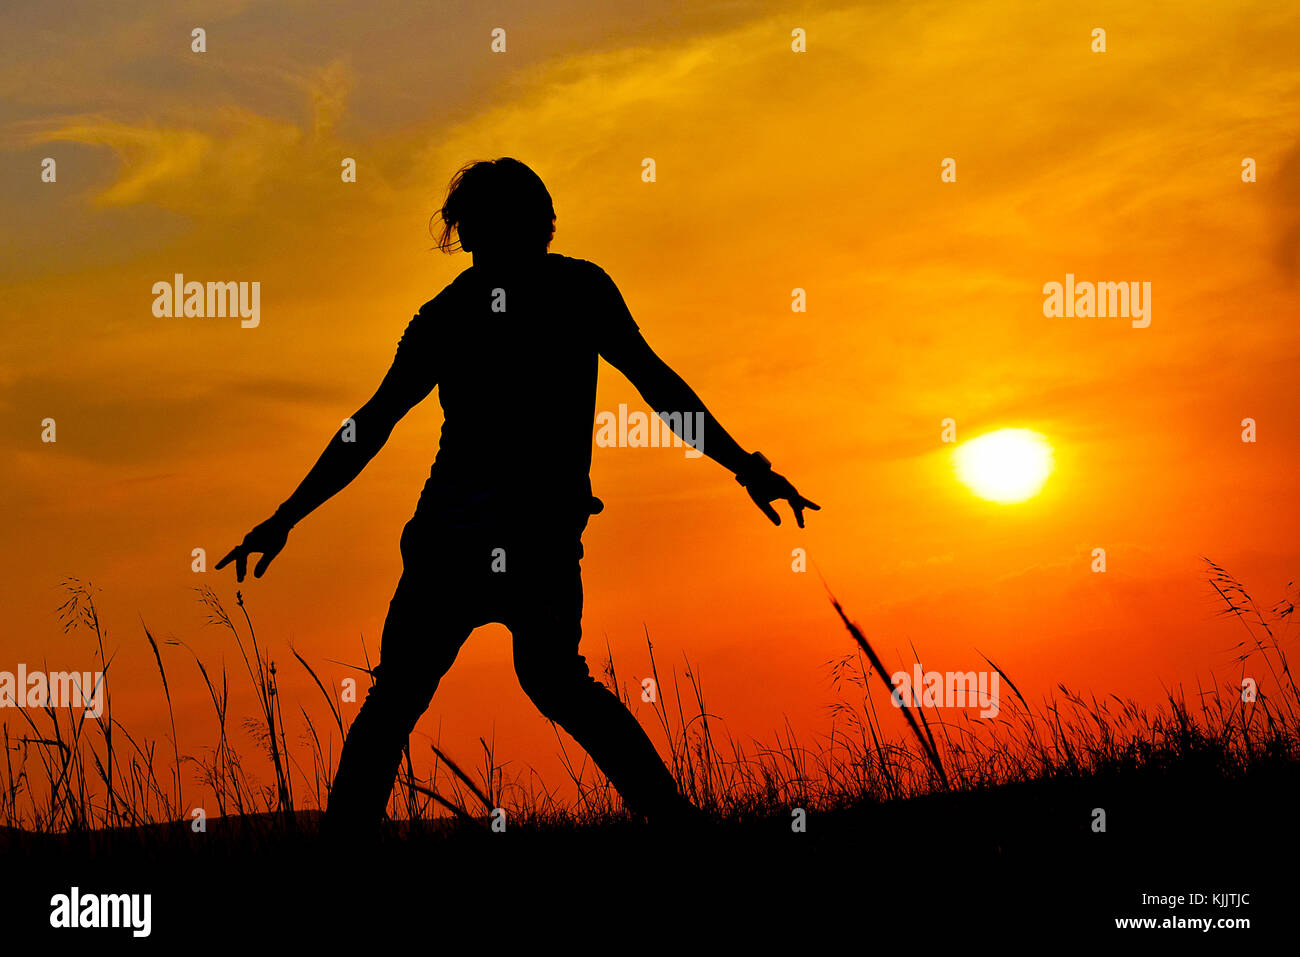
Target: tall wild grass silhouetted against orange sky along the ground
64, 773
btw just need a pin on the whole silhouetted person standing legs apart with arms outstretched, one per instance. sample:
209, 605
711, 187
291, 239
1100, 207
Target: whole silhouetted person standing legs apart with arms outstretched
513, 347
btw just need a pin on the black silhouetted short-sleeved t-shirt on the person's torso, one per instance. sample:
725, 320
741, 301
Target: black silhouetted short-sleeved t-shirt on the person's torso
514, 357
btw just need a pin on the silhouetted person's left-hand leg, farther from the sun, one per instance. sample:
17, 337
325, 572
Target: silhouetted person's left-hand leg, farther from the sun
417, 651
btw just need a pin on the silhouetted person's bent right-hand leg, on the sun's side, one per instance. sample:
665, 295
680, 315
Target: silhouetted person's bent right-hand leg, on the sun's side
547, 629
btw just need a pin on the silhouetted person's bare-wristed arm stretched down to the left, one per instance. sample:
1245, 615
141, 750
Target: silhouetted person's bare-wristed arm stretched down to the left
408, 383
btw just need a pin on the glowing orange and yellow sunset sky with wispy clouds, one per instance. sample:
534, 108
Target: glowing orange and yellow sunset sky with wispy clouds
775, 171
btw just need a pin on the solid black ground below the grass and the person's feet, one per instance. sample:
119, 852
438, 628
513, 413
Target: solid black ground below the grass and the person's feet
982, 869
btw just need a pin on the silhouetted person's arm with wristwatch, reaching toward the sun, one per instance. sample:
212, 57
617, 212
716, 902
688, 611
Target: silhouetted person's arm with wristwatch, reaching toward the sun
627, 350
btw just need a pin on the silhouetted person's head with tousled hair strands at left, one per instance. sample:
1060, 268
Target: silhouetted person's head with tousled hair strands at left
497, 207
